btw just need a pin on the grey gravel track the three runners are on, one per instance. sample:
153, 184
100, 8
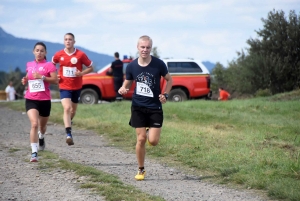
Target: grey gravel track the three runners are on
22, 180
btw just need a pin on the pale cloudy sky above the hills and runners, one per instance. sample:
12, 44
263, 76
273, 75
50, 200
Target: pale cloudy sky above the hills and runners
204, 30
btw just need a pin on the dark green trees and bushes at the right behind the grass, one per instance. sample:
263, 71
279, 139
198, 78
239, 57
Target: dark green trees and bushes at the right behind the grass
270, 65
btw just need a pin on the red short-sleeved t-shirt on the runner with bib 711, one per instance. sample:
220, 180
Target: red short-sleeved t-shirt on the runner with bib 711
68, 65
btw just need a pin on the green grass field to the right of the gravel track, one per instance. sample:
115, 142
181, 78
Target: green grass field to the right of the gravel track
252, 143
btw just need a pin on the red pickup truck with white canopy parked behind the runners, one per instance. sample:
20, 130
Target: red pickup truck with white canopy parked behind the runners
191, 80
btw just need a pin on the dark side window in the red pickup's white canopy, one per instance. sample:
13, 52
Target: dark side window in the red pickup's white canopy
184, 67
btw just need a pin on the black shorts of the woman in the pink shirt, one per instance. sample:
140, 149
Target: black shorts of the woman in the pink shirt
43, 106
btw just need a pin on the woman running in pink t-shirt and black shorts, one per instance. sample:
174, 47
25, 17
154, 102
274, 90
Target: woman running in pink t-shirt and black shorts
40, 74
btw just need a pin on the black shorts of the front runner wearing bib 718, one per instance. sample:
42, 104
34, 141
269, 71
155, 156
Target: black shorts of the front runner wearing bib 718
146, 117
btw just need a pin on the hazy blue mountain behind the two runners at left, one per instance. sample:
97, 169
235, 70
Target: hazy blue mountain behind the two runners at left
16, 52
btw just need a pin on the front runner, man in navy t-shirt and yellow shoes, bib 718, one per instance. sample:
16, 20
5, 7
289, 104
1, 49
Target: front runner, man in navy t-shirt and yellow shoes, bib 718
146, 108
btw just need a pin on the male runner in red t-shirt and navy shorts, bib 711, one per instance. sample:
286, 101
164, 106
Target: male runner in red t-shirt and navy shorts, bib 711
70, 74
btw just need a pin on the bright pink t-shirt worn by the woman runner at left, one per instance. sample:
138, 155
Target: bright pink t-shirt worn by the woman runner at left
43, 68
